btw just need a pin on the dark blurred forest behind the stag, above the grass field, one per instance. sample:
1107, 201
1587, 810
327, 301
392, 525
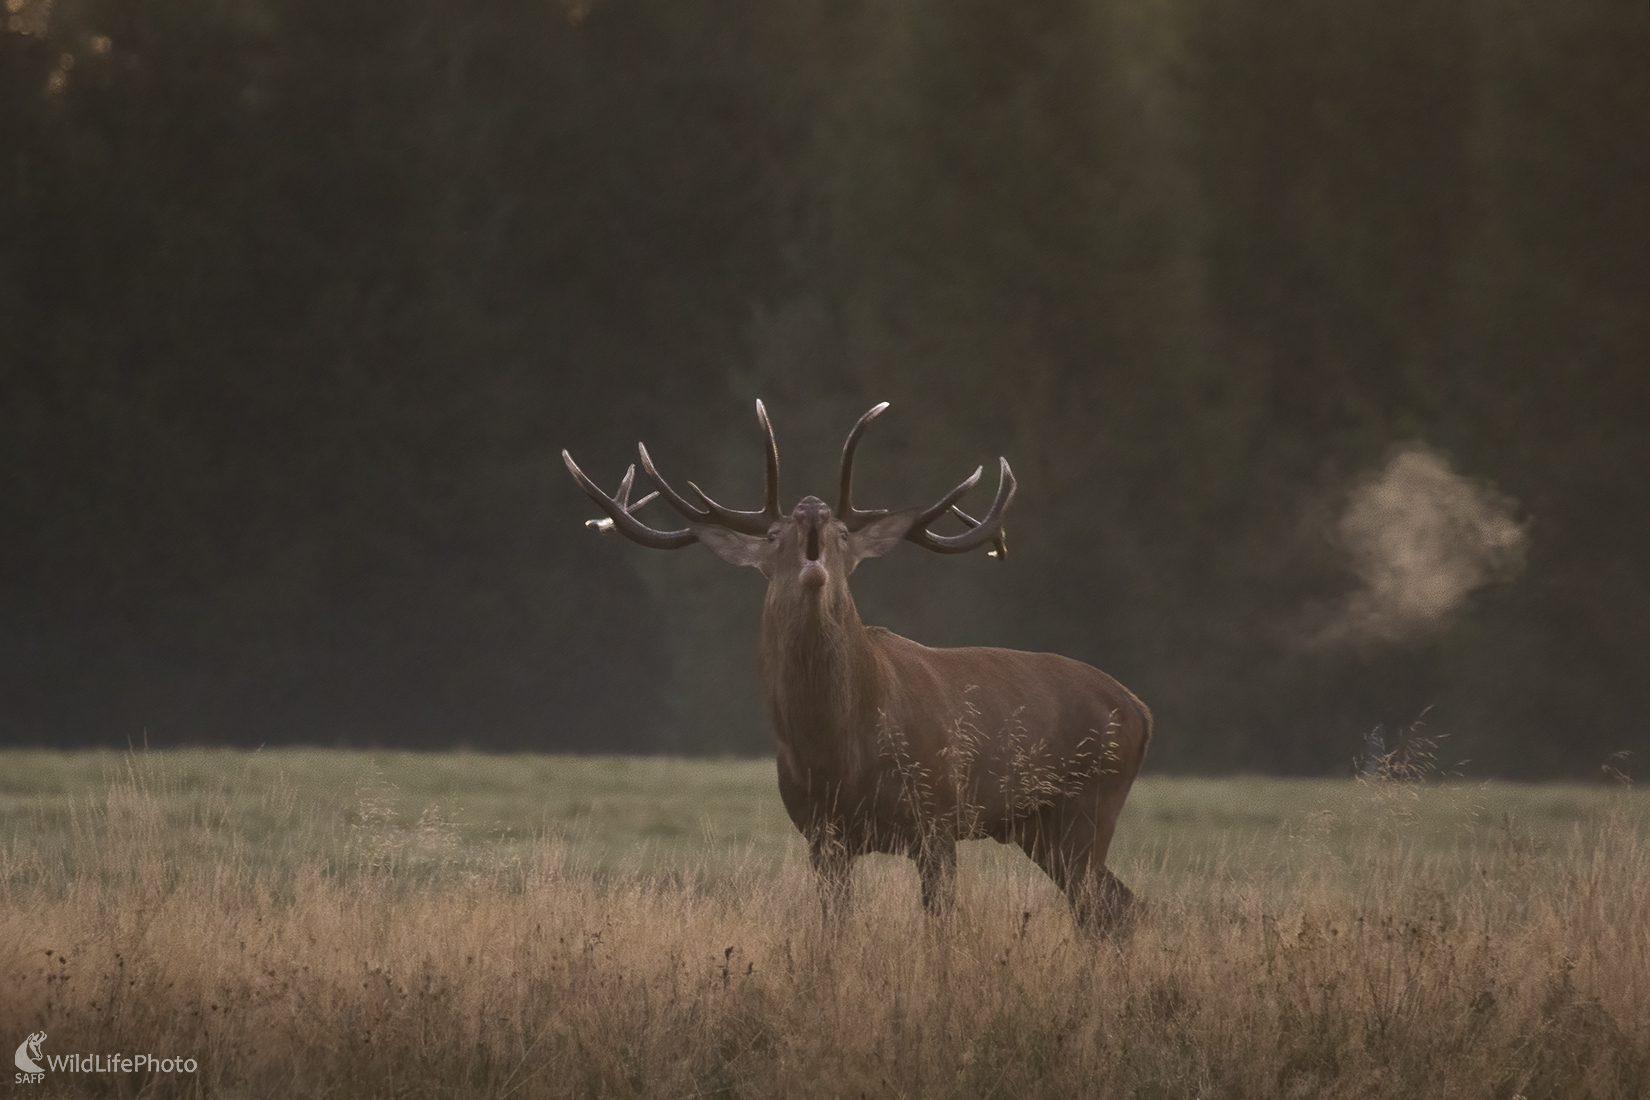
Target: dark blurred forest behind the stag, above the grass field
299, 301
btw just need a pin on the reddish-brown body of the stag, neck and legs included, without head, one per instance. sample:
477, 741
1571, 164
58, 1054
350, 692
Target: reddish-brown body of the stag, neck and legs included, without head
890, 746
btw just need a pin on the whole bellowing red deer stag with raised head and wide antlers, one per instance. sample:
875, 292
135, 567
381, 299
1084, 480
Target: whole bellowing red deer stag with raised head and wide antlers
887, 746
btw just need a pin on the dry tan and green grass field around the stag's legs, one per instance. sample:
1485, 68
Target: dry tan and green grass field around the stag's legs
311, 923
